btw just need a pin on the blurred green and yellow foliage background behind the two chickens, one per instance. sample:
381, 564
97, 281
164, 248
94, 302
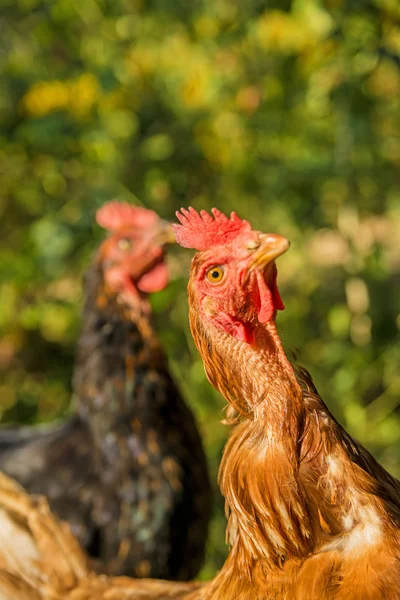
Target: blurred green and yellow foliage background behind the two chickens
287, 112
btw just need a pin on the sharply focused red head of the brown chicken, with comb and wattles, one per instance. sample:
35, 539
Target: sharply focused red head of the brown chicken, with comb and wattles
233, 277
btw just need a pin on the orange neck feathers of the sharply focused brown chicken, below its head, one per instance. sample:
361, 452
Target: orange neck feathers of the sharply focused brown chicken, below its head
268, 518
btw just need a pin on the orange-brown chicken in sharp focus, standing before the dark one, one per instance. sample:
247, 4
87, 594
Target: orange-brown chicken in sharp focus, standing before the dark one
312, 515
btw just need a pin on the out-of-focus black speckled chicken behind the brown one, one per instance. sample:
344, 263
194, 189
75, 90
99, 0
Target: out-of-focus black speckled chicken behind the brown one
128, 471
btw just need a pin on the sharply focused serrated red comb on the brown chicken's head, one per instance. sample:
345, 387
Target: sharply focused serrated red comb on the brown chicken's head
202, 231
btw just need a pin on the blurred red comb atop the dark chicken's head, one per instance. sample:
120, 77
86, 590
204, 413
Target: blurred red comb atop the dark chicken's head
115, 215
